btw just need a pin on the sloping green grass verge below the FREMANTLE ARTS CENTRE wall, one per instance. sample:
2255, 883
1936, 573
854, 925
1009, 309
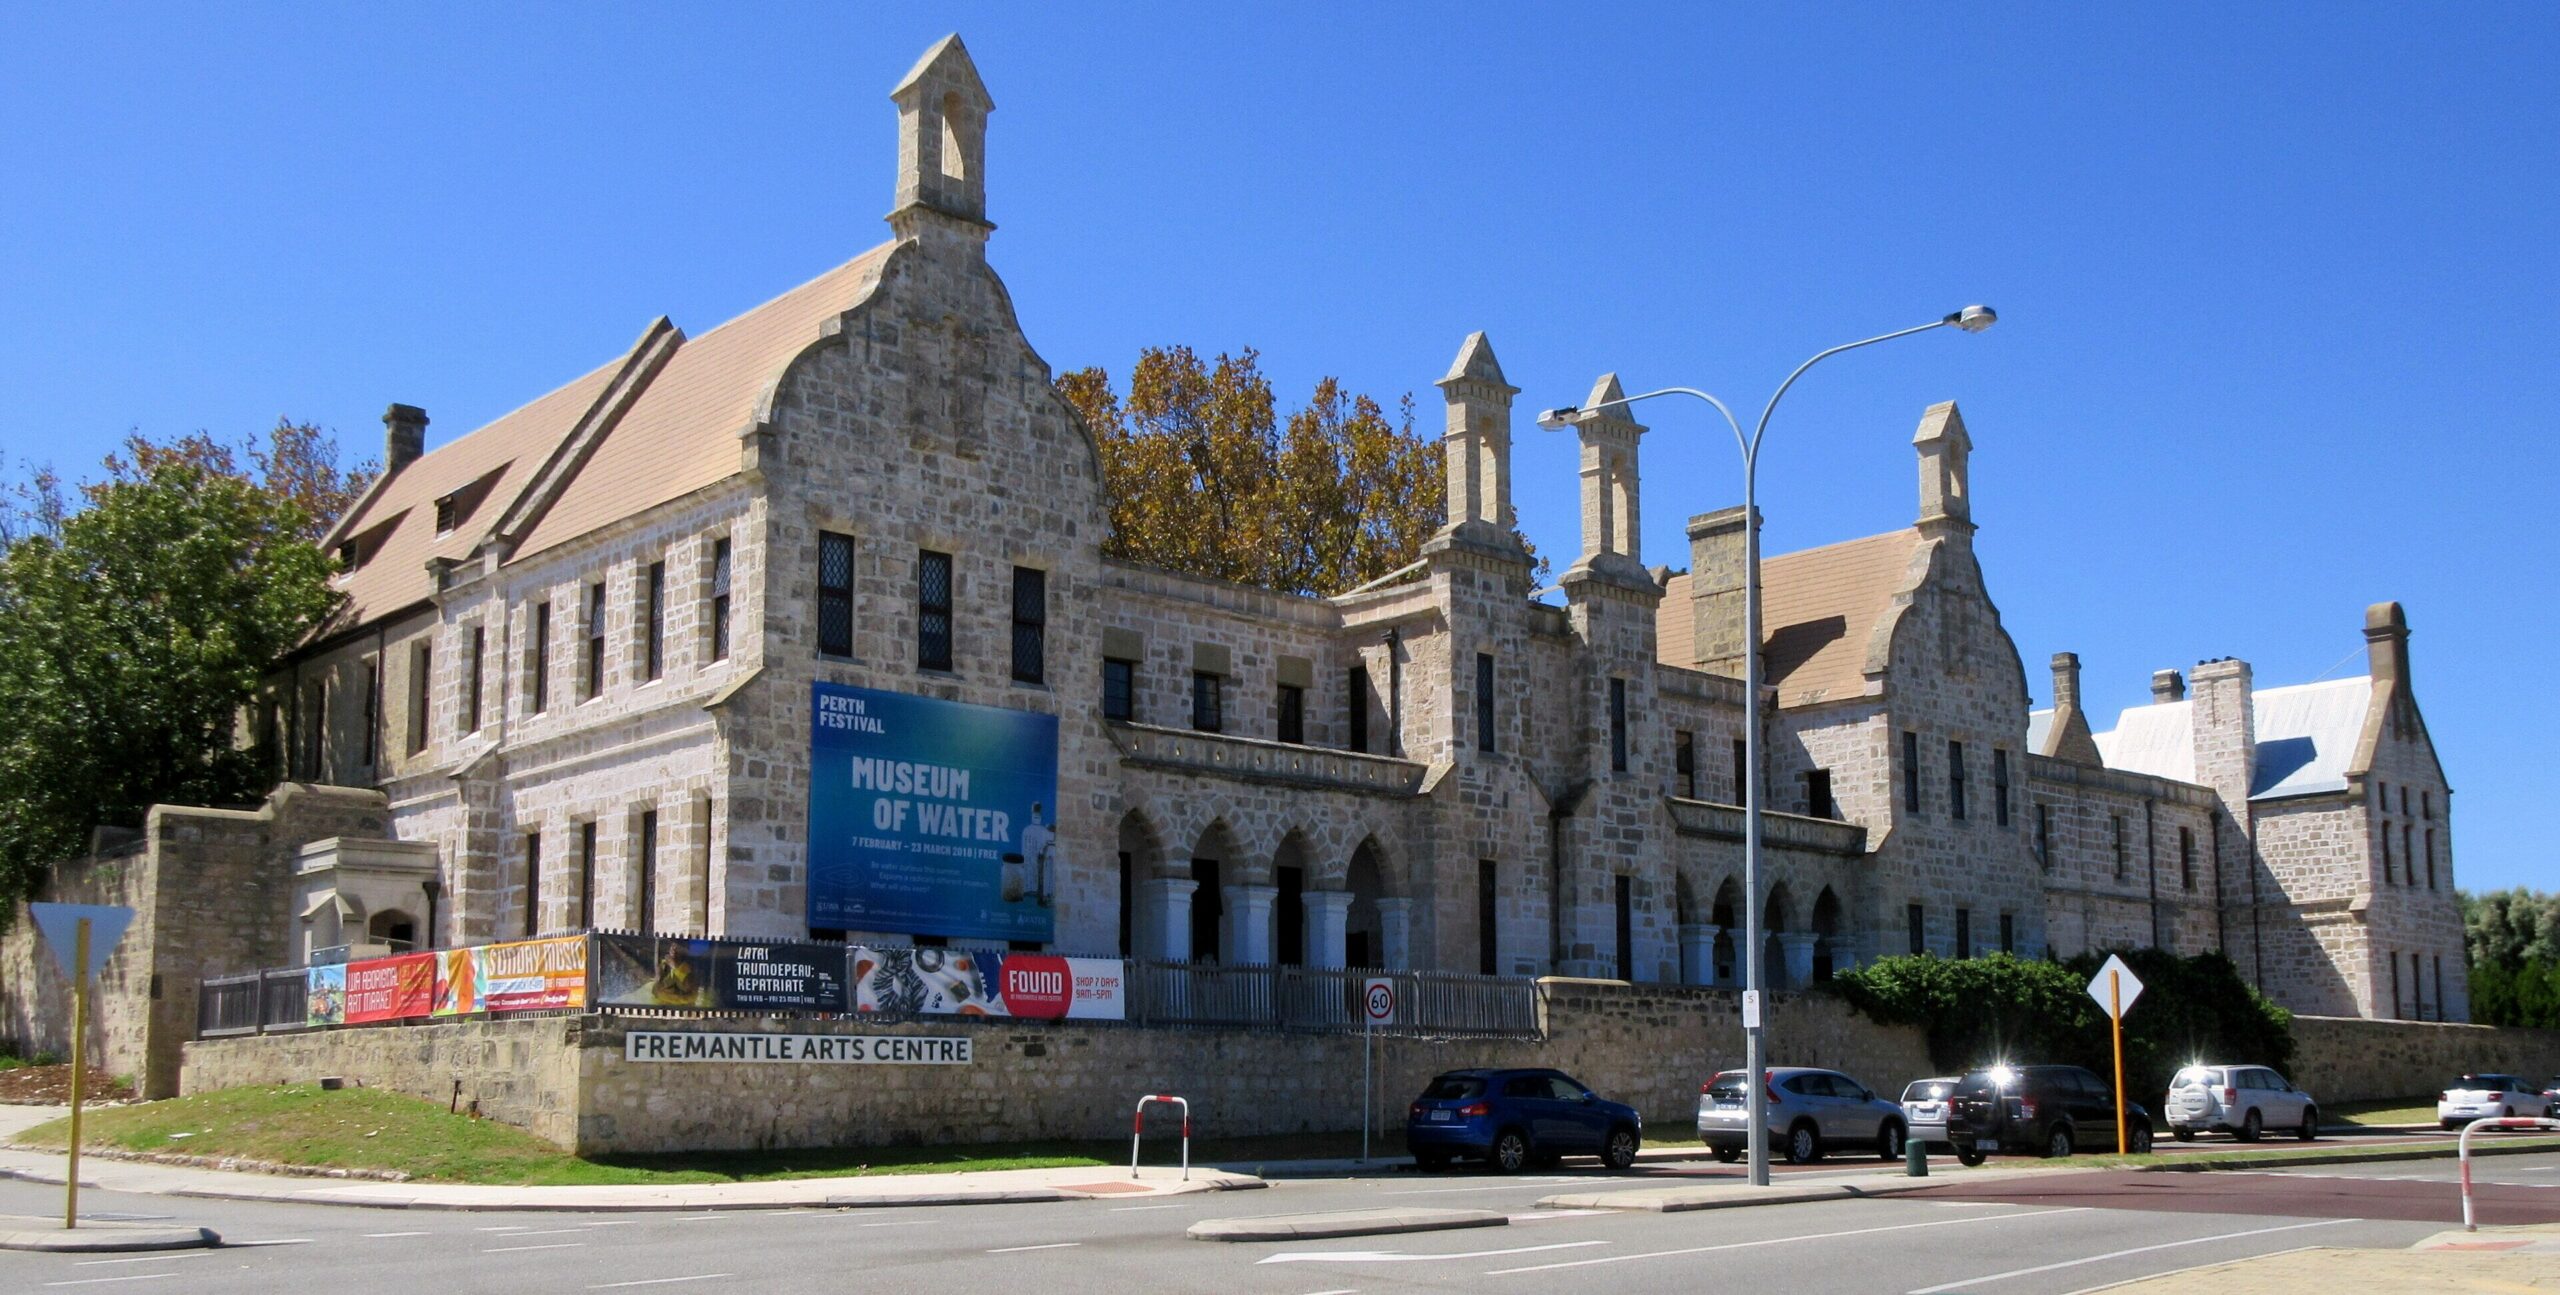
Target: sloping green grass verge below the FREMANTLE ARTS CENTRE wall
375, 1130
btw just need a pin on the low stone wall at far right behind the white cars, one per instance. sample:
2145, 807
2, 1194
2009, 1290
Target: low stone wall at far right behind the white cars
2346, 1058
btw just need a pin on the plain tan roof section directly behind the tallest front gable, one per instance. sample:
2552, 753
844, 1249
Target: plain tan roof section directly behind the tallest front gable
682, 434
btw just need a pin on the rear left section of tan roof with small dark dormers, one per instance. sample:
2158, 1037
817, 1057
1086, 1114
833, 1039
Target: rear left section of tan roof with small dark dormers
396, 526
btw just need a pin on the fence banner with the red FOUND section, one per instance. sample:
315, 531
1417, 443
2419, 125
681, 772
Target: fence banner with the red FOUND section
989, 984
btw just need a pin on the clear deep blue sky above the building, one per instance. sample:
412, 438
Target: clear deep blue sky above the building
2277, 283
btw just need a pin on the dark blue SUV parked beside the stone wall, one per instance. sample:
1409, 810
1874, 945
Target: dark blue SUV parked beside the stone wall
1514, 1120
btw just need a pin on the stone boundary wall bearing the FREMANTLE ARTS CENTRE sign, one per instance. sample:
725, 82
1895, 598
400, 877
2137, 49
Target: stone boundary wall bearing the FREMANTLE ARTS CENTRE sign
570, 1081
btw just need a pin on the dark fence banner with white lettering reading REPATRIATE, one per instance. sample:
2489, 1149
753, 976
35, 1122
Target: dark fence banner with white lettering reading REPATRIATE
639, 971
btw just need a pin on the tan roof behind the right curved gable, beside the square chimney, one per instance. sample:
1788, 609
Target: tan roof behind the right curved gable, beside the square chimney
1819, 613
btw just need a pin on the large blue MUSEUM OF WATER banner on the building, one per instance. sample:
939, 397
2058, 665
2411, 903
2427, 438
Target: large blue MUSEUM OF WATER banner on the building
931, 818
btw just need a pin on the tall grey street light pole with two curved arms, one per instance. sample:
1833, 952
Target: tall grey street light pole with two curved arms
1972, 319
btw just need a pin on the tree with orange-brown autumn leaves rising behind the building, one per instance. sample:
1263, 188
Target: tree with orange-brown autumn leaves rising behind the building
1207, 477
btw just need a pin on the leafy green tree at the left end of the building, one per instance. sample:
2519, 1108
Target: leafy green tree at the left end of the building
137, 626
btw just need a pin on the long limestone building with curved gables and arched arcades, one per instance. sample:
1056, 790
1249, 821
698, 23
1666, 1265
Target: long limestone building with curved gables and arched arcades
585, 649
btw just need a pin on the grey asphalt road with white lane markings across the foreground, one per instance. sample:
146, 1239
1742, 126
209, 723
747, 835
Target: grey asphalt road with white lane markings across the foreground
2060, 1240
